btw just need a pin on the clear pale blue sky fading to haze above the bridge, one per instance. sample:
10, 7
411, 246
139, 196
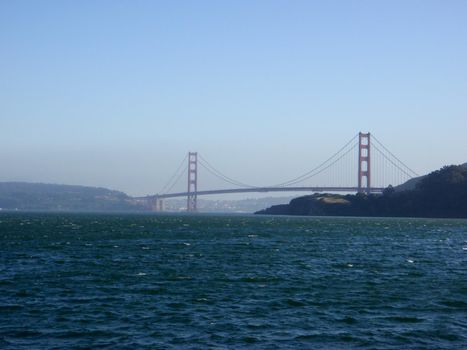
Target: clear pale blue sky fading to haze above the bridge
114, 93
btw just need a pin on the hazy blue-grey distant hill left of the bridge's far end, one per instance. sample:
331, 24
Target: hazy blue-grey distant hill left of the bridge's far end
49, 197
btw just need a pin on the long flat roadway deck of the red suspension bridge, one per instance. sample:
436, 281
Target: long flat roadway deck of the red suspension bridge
261, 189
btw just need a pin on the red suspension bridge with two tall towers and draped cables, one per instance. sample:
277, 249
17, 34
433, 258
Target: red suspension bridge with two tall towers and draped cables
362, 165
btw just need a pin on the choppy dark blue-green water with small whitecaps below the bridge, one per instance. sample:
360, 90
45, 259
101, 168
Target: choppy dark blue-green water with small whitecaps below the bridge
195, 282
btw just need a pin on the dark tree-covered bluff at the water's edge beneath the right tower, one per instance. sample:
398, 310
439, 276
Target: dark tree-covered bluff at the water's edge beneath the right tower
440, 194
